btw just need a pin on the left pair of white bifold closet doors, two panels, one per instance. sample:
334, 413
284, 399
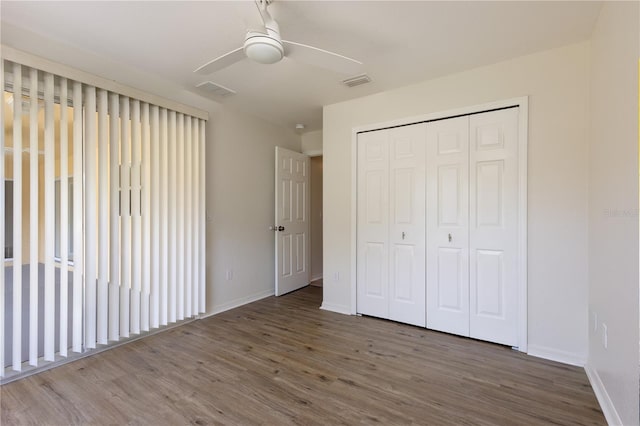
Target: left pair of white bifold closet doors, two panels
391, 224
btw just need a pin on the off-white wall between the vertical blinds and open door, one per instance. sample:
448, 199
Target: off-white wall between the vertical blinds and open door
240, 207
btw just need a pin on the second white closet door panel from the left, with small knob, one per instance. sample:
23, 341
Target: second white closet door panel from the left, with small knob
407, 224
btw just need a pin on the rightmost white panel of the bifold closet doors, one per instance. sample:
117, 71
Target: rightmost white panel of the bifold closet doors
494, 226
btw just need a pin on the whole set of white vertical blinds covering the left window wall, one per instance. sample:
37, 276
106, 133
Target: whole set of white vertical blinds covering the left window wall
106, 217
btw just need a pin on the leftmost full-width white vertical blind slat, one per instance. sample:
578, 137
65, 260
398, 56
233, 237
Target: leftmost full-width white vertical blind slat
17, 218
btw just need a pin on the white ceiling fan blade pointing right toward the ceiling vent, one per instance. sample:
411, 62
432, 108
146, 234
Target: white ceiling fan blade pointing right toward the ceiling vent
322, 58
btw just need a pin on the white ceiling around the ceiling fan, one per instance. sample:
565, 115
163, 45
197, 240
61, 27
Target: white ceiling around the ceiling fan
399, 42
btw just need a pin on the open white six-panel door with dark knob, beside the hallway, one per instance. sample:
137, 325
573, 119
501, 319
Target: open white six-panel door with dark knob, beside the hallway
291, 221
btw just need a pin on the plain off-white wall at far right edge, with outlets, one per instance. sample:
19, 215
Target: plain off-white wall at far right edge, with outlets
613, 210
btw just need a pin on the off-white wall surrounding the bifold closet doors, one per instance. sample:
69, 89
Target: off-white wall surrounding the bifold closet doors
557, 82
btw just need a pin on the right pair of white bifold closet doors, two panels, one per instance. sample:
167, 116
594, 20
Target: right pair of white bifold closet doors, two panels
472, 226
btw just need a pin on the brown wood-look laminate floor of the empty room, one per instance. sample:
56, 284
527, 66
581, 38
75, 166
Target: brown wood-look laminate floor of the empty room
284, 361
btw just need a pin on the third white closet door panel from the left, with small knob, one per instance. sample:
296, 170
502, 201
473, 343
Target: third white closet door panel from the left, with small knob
448, 225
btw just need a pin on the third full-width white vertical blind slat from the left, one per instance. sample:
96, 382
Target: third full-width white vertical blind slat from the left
49, 221
